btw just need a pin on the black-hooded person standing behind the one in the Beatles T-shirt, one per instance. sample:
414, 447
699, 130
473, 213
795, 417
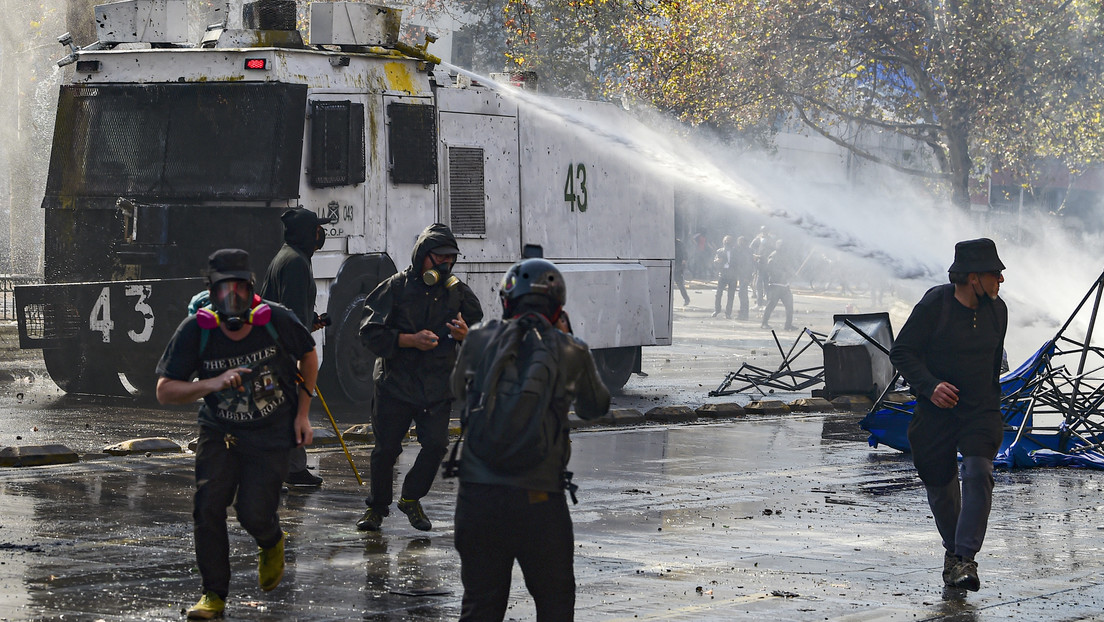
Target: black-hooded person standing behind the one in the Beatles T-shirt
291, 282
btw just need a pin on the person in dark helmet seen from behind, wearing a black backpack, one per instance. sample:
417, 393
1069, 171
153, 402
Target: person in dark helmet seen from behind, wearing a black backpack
518, 377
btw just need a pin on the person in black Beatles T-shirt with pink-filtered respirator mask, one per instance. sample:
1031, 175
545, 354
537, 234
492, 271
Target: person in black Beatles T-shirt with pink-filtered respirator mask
256, 367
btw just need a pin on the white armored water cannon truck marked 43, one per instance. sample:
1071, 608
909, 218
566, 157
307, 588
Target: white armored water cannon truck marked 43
165, 152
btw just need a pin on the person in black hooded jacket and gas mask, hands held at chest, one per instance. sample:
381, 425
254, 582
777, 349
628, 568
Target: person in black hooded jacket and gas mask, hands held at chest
413, 323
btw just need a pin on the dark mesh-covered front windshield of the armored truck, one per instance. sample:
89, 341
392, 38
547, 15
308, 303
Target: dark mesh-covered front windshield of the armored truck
165, 142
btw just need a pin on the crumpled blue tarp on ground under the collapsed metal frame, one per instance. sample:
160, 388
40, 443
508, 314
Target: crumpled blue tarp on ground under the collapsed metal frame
888, 425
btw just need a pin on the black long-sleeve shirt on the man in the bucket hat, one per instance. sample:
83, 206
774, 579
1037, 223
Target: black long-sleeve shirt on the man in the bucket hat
946, 341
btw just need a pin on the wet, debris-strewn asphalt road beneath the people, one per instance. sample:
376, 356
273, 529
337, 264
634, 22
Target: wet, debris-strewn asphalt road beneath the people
791, 518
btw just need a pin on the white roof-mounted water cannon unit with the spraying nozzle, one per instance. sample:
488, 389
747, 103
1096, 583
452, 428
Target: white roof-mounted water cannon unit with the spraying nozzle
357, 27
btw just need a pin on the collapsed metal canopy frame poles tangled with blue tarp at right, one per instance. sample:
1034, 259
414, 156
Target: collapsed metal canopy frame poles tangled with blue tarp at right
1046, 386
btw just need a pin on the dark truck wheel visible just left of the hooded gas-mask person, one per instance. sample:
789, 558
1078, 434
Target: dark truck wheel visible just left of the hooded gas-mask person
348, 365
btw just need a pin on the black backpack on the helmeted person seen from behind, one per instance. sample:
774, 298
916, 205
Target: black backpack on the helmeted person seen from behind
507, 419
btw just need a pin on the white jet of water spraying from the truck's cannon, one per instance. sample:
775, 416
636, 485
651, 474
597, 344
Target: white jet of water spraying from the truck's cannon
890, 226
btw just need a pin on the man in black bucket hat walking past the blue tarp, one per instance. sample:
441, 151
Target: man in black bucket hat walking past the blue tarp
950, 351
